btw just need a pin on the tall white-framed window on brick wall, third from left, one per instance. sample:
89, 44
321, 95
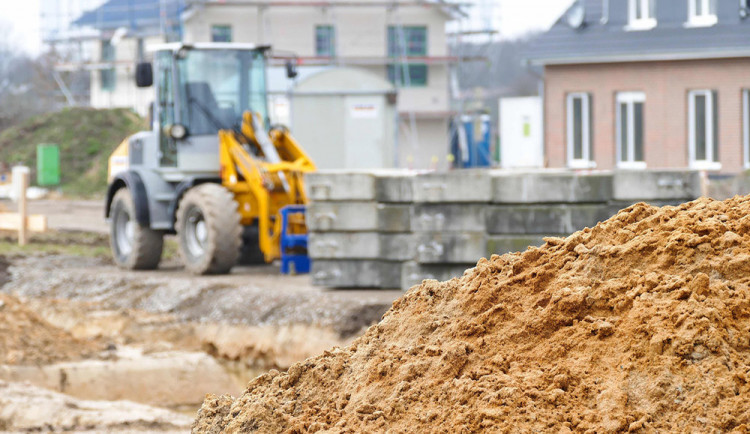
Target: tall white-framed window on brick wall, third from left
703, 132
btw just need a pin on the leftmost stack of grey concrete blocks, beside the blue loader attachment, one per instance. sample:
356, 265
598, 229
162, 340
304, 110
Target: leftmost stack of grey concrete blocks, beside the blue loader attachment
359, 227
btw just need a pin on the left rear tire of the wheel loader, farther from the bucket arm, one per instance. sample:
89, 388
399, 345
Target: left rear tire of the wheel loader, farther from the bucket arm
134, 247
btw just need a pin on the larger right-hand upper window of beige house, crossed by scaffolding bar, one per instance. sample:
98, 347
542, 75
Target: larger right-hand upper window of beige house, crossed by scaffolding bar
407, 41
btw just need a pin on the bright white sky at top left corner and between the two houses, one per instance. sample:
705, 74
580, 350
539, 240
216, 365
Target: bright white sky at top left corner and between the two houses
513, 18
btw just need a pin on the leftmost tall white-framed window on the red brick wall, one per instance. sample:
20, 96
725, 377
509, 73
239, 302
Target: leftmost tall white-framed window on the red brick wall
579, 130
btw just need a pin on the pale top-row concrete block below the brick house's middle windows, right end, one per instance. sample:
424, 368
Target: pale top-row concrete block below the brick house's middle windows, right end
638, 185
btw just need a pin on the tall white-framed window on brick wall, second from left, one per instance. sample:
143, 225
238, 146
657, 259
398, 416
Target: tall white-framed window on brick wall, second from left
630, 130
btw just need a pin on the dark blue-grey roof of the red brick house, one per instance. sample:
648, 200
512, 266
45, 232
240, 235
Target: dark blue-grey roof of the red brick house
606, 37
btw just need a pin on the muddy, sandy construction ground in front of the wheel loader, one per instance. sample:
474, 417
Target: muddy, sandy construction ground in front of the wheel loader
143, 348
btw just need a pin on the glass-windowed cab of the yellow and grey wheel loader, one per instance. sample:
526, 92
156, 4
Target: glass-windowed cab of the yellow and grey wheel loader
199, 90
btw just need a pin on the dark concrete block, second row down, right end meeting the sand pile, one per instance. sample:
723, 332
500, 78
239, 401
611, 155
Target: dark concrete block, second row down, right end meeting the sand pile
544, 219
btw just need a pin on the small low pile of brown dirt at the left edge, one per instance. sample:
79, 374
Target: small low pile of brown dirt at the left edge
27, 339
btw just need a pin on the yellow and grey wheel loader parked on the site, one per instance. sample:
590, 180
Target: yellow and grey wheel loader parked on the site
211, 170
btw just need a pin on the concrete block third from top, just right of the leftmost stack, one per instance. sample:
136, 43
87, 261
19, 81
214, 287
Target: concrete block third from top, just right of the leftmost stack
450, 247
